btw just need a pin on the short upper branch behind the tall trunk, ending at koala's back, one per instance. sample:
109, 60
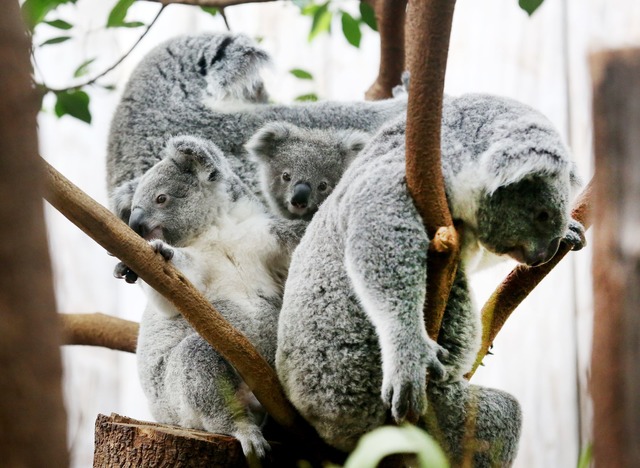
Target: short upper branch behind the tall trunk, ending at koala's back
390, 16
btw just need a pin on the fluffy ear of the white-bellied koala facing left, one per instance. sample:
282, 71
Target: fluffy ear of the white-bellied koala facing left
196, 155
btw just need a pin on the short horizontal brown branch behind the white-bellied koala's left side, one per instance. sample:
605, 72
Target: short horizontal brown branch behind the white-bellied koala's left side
100, 330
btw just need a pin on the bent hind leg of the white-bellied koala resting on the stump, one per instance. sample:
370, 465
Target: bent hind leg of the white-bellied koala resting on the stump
206, 393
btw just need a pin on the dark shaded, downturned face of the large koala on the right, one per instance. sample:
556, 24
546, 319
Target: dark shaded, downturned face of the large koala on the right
525, 220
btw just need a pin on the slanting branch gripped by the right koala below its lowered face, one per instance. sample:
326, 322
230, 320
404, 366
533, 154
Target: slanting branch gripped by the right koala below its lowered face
522, 280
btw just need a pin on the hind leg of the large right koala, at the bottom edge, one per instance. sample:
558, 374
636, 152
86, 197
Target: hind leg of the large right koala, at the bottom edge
477, 426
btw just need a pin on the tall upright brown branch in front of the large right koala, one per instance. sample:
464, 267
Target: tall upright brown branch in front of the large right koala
428, 31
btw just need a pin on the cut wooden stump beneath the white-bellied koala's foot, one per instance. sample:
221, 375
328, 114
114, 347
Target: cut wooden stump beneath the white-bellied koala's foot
126, 442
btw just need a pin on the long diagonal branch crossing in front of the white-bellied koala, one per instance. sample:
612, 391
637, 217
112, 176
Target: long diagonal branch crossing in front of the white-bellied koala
116, 237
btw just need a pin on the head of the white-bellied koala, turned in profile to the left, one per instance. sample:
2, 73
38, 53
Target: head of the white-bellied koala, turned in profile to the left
183, 194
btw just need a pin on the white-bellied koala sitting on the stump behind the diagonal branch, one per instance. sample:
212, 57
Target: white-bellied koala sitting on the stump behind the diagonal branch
197, 213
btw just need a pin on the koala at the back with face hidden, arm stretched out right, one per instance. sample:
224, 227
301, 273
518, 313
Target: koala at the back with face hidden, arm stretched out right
209, 86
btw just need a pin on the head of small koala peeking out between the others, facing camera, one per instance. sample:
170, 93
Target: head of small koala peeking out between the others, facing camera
300, 167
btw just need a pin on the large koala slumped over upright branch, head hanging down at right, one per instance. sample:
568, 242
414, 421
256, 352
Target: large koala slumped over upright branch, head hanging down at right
351, 339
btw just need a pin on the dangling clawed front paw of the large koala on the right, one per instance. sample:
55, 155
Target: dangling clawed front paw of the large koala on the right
404, 388
